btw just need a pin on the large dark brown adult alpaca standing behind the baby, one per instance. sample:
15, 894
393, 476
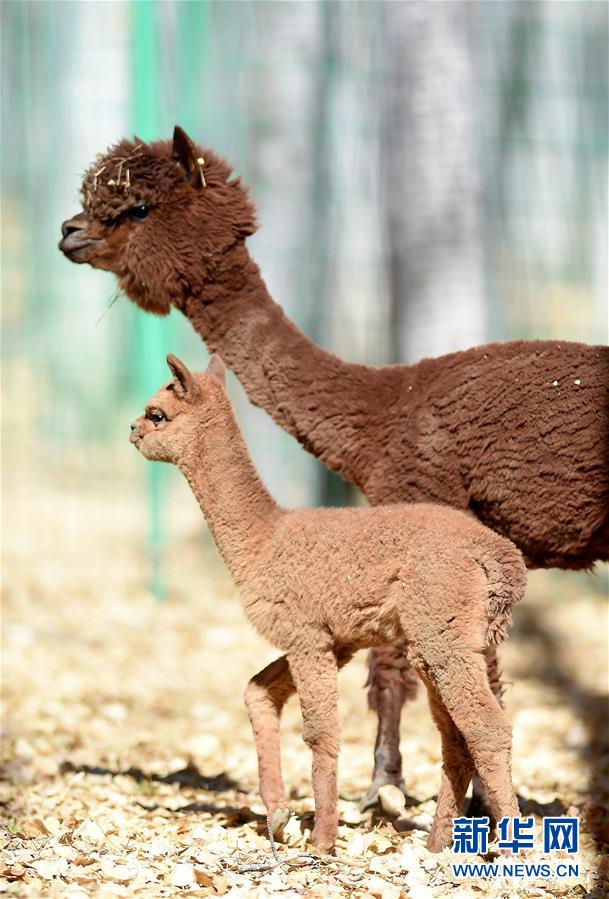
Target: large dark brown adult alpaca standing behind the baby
517, 433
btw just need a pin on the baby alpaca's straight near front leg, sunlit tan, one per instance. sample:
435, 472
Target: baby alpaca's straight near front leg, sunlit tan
315, 676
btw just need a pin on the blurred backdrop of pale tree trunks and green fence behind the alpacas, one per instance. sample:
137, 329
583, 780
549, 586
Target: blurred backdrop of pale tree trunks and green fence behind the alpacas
428, 176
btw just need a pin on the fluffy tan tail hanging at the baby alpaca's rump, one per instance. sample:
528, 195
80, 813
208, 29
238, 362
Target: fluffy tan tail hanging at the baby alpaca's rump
506, 576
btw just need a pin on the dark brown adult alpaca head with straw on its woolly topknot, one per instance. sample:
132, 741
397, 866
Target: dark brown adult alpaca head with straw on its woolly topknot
159, 216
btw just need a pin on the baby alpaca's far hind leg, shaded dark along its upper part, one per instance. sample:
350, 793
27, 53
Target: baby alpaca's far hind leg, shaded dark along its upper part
457, 768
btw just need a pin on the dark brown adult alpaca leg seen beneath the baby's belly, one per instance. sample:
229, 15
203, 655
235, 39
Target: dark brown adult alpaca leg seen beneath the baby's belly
391, 681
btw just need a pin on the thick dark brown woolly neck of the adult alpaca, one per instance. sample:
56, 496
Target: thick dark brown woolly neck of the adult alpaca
327, 404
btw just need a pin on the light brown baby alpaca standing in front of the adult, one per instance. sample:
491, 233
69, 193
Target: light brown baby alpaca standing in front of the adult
320, 584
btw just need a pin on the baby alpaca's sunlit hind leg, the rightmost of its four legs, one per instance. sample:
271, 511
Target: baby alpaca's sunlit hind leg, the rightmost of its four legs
463, 685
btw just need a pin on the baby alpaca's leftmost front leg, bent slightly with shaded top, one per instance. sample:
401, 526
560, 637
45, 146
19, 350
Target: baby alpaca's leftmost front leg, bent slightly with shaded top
265, 696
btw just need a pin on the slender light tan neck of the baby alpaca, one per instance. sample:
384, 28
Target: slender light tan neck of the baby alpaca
239, 510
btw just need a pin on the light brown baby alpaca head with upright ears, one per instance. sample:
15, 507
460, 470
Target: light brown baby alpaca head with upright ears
179, 411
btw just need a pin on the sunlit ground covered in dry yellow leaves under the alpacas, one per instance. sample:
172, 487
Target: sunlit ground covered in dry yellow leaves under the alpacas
129, 768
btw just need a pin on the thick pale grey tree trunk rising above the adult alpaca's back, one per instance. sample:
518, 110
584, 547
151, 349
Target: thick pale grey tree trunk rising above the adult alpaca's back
429, 171
